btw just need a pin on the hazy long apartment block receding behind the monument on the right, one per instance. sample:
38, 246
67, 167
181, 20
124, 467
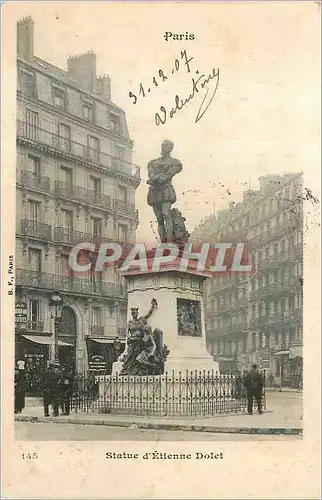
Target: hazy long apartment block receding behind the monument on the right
258, 317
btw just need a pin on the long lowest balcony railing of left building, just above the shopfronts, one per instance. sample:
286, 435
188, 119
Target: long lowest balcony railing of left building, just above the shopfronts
35, 279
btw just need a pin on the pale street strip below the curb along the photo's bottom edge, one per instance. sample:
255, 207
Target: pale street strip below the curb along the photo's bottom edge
26, 431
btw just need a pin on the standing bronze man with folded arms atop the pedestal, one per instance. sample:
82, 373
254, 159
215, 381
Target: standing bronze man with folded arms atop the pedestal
161, 193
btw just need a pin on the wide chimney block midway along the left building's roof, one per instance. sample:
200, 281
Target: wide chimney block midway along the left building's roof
82, 69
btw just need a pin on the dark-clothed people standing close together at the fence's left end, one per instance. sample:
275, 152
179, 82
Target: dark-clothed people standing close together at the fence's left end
57, 390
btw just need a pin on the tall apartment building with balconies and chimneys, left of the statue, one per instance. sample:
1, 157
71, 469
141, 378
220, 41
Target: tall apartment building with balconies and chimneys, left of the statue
75, 183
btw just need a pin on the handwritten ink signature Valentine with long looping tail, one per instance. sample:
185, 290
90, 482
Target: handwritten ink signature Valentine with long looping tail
198, 83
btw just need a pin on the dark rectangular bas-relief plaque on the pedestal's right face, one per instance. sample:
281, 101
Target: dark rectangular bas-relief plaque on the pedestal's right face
189, 317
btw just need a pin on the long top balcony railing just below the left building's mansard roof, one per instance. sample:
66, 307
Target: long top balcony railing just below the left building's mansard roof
81, 151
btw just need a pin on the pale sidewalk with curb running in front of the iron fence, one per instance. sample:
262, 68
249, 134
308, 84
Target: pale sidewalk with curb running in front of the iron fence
270, 422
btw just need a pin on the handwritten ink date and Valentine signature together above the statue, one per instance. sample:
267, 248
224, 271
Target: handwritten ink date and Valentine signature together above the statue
202, 84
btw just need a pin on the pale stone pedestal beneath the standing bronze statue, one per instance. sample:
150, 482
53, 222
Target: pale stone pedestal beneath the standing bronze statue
180, 297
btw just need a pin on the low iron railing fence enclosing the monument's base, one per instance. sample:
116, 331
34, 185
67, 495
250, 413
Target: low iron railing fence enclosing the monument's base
172, 394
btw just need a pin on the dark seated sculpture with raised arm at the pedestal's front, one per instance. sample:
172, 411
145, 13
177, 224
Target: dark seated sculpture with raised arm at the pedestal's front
145, 353
